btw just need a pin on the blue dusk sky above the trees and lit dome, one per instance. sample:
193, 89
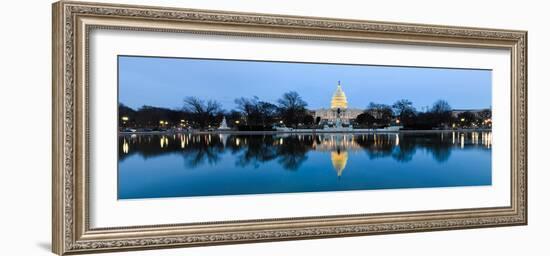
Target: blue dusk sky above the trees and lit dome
165, 82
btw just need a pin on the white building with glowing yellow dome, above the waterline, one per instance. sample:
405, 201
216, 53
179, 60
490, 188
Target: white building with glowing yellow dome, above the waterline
338, 114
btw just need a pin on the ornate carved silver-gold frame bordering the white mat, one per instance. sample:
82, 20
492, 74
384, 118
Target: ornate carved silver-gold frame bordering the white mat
74, 21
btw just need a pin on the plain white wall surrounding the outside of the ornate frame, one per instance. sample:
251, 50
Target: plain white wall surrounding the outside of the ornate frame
25, 145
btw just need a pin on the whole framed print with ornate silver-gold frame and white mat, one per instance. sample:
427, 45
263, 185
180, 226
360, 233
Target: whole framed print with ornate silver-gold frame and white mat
179, 127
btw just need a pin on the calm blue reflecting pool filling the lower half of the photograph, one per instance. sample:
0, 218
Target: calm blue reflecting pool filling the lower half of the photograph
181, 165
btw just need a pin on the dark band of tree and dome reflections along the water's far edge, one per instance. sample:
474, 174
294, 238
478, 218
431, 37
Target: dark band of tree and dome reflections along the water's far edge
291, 150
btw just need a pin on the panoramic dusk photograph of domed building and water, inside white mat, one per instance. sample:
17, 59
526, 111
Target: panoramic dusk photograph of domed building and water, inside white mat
215, 127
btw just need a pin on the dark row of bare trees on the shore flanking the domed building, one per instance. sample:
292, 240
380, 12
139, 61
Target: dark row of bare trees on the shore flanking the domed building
291, 110
